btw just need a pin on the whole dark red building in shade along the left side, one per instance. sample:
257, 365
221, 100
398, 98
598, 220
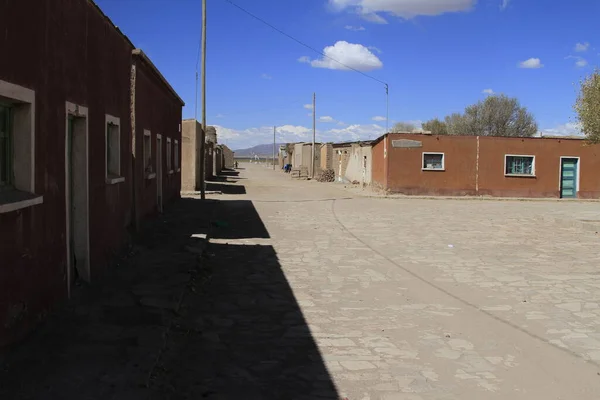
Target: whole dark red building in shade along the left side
76, 102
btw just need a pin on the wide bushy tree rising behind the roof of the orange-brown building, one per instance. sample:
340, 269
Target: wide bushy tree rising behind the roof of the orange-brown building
494, 116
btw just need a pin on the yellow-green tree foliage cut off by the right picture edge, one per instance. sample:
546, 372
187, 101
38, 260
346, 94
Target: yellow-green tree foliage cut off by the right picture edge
588, 107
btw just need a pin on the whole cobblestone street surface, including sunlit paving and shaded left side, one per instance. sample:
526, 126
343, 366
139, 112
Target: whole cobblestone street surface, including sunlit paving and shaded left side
310, 291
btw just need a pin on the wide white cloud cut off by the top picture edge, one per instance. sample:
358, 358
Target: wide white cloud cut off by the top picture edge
370, 9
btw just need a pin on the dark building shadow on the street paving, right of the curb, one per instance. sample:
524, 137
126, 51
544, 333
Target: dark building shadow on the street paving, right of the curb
244, 336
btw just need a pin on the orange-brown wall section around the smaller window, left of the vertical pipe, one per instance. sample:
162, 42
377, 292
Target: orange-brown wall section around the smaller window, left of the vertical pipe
405, 173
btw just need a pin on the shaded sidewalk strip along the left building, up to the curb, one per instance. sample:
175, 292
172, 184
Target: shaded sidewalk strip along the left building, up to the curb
103, 343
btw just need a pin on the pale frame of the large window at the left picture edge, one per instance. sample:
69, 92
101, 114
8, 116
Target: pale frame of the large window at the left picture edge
23, 163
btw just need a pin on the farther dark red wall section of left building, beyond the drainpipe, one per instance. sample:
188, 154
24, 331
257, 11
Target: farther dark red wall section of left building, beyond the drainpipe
158, 111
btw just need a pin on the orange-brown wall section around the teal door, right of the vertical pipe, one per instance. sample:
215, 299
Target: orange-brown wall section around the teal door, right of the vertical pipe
547, 152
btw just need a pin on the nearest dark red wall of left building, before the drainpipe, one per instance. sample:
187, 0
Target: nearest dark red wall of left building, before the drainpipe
64, 50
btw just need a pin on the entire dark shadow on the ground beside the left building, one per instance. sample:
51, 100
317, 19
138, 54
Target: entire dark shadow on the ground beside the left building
223, 323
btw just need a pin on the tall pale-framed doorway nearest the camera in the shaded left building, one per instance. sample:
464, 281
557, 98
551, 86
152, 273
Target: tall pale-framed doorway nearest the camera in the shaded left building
77, 195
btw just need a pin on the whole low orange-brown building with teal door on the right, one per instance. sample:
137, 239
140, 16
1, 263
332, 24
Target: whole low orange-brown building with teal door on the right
415, 164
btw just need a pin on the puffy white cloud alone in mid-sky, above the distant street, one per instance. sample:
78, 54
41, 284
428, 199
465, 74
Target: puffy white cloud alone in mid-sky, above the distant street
351, 55
